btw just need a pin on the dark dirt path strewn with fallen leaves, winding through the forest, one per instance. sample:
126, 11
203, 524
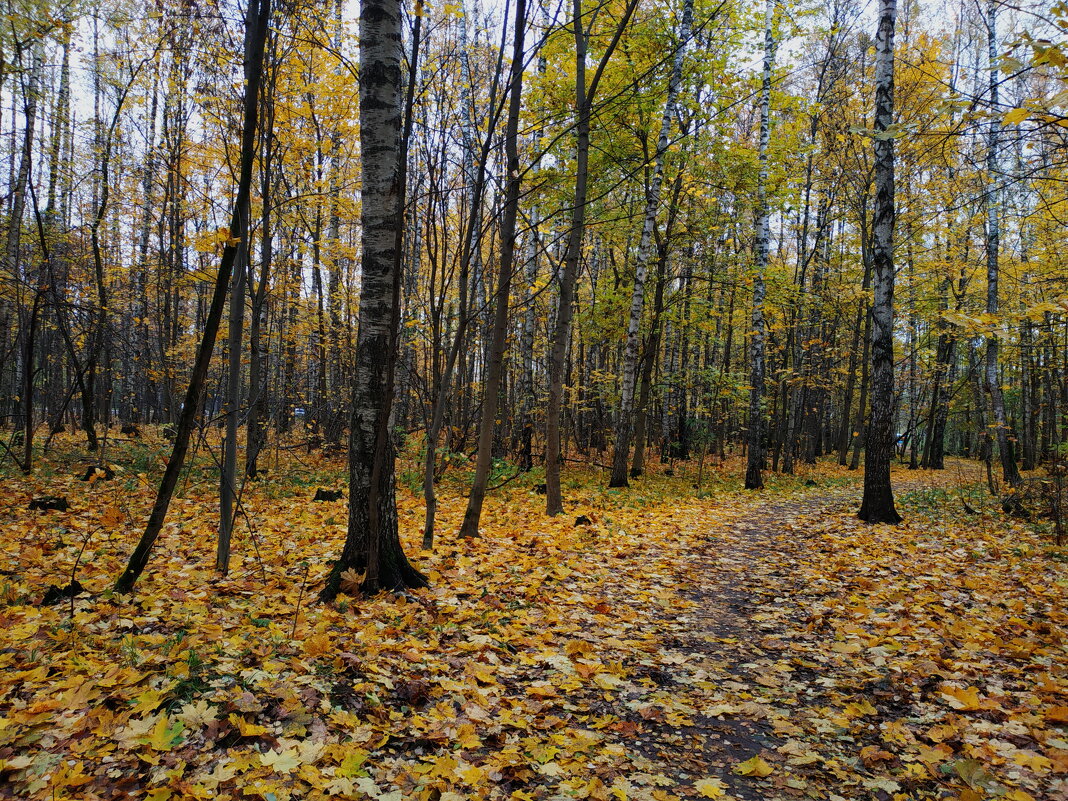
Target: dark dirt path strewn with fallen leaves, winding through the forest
717, 701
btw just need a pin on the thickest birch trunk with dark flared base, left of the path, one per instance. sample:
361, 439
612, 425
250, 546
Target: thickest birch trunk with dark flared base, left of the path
373, 542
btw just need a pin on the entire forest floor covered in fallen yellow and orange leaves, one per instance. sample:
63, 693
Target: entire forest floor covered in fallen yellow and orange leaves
678, 646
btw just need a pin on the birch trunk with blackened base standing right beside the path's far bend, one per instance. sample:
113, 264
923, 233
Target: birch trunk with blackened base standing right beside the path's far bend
877, 506
